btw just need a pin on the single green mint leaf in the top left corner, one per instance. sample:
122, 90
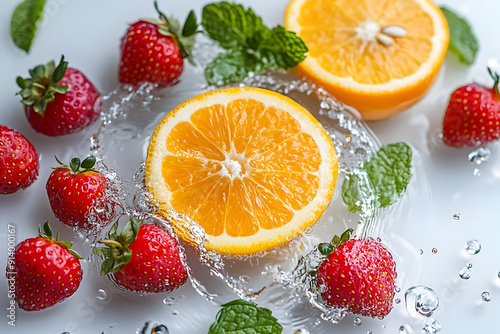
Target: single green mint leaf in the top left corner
24, 23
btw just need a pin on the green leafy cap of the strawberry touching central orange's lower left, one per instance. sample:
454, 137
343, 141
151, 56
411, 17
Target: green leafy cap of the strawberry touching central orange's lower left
117, 253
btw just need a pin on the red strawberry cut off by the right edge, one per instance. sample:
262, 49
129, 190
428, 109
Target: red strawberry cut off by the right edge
472, 117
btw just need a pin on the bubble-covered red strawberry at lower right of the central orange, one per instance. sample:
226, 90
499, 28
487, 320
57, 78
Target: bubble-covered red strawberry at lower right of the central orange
358, 276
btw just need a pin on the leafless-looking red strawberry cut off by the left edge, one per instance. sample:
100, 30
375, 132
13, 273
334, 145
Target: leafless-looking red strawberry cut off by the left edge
18, 161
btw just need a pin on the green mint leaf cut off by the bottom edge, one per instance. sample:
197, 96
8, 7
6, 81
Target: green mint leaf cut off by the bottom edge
242, 317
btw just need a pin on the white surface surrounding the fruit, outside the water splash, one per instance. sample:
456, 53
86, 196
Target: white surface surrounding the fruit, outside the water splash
88, 34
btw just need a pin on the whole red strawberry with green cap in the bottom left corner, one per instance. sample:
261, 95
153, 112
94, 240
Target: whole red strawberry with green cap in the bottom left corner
45, 271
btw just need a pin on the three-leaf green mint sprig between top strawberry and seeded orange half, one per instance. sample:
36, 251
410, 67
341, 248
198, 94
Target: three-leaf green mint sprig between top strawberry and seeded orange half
250, 45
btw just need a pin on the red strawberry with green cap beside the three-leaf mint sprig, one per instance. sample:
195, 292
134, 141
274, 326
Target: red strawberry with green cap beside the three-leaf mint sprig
153, 51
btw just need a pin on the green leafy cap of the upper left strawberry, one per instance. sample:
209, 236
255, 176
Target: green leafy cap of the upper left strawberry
40, 89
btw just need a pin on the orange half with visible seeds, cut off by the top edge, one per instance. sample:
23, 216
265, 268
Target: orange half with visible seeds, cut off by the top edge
379, 56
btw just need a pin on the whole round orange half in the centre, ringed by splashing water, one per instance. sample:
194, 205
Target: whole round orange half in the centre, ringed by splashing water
251, 166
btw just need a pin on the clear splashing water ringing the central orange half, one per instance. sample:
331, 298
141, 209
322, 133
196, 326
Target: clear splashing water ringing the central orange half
280, 280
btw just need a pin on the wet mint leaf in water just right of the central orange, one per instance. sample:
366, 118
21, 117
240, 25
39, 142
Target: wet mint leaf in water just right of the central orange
388, 172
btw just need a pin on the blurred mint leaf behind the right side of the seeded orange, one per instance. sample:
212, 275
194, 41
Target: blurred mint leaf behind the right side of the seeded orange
463, 42
